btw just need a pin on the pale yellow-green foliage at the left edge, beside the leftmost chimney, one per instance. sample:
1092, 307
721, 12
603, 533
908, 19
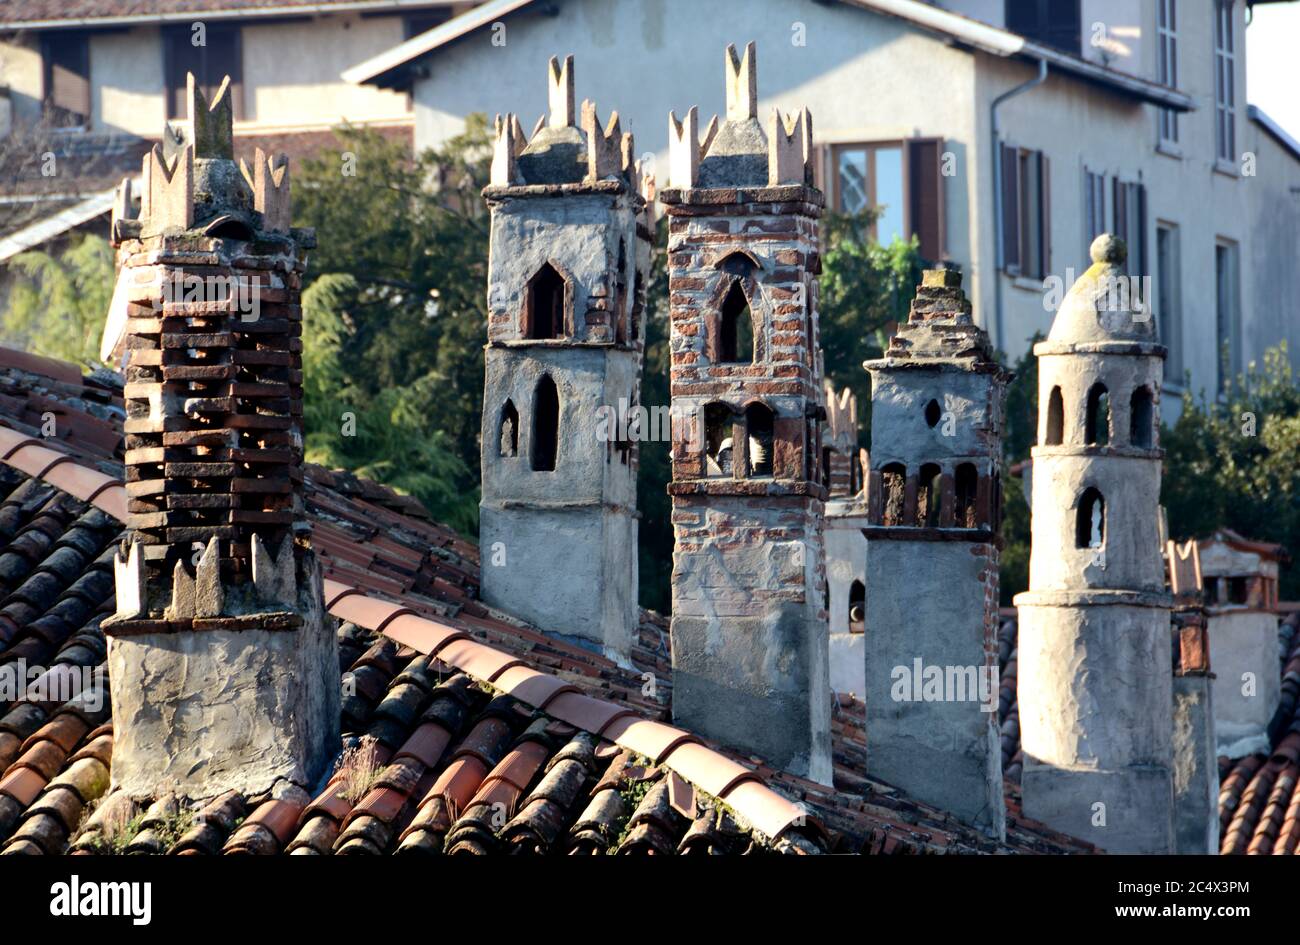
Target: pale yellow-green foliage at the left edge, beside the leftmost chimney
59, 302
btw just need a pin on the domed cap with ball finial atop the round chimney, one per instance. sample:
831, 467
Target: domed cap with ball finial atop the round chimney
1106, 305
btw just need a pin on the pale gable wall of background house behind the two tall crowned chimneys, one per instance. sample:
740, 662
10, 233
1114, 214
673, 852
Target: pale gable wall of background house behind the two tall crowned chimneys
863, 76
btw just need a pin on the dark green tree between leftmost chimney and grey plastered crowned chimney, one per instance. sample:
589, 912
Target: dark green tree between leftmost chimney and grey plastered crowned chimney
396, 313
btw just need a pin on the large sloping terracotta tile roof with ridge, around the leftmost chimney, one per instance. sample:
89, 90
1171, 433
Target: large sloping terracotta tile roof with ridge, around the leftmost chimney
466, 730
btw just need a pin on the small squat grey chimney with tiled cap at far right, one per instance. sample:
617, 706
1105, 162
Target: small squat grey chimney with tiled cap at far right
1241, 580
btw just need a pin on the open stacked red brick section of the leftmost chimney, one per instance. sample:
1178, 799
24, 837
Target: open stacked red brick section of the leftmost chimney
214, 400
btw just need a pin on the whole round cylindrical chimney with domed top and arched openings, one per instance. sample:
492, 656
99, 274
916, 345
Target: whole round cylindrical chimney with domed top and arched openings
1095, 682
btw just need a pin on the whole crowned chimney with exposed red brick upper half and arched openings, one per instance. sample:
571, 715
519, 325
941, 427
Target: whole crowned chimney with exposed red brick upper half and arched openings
749, 634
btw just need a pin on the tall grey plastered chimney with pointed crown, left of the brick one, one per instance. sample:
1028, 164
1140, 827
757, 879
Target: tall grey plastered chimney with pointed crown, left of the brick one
570, 262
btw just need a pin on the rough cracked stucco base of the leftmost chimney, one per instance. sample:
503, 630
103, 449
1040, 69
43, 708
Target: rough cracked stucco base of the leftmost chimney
202, 713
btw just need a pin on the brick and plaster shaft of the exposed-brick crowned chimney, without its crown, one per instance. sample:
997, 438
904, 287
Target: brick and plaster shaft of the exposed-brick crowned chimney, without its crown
749, 632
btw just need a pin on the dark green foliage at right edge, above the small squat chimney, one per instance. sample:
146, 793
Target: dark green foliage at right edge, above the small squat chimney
1236, 462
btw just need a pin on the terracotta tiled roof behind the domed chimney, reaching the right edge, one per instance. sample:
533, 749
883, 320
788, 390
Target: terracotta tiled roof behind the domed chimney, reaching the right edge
1259, 795
